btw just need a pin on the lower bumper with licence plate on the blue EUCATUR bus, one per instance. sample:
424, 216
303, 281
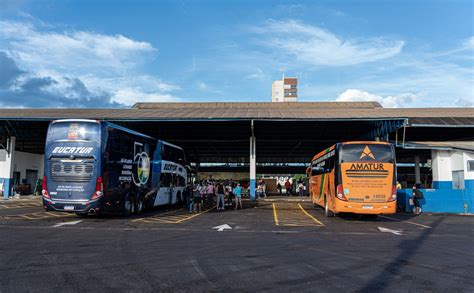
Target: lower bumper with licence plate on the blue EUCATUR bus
71, 206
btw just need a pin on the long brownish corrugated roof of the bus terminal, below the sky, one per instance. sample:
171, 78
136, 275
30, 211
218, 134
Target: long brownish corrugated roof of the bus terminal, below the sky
277, 111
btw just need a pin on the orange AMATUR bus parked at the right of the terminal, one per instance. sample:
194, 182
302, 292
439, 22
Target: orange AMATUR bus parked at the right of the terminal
354, 177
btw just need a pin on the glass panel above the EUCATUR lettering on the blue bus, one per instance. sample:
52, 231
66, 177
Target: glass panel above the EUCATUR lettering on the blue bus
74, 131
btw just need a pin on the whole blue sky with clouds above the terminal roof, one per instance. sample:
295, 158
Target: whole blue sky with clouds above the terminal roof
112, 54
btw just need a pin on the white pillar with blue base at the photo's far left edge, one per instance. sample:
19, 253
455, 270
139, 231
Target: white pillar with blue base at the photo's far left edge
6, 166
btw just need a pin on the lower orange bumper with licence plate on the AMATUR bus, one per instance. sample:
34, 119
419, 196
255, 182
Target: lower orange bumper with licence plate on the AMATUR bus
369, 208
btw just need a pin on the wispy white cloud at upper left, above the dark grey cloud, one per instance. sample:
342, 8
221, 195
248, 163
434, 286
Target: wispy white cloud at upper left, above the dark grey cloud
73, 52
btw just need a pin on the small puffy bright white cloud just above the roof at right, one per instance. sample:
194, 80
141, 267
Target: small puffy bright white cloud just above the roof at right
396, 101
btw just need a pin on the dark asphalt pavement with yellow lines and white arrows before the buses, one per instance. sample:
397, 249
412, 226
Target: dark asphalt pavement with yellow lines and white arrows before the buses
277, 246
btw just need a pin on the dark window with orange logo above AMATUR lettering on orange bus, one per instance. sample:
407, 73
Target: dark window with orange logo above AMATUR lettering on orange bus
366, 152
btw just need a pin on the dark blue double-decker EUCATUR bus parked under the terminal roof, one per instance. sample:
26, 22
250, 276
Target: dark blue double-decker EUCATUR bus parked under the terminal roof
94, 166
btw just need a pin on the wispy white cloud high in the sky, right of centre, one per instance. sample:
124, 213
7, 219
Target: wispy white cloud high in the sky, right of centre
315, 46
